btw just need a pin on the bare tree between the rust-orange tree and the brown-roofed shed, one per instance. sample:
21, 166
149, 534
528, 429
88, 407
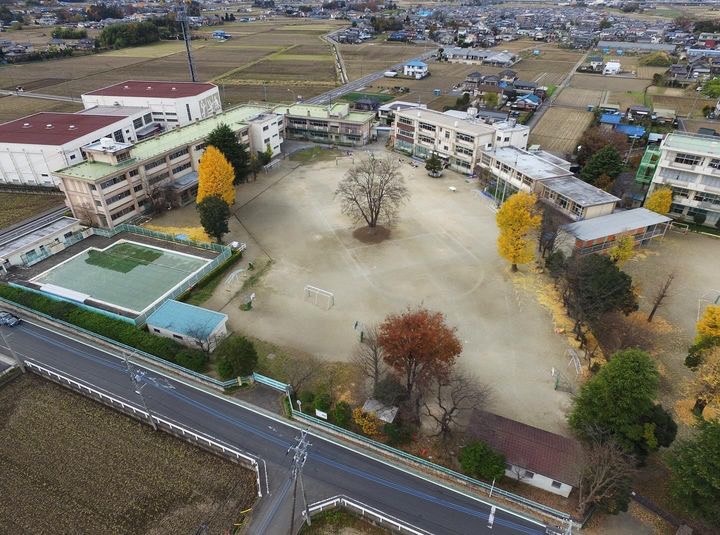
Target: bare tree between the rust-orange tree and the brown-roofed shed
454, 396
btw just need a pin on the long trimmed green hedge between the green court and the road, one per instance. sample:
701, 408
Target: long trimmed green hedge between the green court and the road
115, 329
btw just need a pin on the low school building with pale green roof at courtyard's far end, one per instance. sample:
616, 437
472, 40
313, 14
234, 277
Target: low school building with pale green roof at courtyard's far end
334, 124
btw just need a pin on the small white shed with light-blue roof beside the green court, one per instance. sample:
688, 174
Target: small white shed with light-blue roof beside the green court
190, 325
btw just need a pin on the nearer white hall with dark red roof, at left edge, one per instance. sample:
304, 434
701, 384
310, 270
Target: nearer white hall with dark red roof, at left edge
33, 147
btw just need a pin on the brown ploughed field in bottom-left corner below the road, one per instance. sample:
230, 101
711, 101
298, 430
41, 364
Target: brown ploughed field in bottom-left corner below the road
71, 465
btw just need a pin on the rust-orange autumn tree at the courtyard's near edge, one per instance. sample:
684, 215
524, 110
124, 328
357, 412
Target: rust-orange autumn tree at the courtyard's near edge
420, 347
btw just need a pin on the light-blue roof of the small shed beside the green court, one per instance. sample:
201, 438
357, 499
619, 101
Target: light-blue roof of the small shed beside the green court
182, 318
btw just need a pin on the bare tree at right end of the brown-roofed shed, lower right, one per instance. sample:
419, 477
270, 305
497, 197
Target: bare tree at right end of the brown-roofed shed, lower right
604, 476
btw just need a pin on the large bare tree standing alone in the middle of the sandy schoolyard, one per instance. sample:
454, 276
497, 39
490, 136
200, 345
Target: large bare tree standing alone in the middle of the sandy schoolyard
373, 191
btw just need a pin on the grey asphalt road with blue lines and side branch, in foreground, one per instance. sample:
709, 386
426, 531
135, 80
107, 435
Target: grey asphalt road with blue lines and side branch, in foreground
331, 469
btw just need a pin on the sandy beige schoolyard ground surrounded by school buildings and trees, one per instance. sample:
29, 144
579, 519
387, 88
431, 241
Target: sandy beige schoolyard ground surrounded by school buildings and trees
441, 255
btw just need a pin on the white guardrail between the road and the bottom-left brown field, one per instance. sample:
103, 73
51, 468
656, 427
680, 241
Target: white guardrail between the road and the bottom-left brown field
173, 428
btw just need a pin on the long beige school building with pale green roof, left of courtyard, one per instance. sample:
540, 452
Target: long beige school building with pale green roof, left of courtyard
120, 181
